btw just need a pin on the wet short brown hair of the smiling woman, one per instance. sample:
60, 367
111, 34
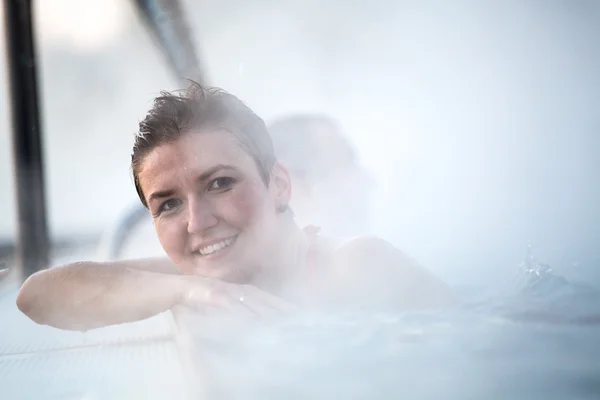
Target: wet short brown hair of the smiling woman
195, 109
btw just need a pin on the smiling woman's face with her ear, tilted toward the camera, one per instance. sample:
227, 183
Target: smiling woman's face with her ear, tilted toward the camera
213, 214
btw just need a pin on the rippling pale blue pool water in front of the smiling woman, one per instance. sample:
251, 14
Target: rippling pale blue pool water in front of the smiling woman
535, 339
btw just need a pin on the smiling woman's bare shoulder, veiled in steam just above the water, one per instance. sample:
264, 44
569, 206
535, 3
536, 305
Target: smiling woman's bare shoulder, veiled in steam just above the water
371, 271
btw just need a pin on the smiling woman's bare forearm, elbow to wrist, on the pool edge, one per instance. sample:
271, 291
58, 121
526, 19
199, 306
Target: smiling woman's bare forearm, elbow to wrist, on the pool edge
84, 296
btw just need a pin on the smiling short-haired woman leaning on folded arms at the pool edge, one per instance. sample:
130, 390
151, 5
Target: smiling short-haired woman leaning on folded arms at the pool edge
204, 166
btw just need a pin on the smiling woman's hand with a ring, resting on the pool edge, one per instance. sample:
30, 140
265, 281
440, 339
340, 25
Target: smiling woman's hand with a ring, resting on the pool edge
204, 293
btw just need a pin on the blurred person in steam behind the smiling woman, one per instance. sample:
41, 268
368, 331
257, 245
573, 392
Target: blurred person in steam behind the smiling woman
331, 188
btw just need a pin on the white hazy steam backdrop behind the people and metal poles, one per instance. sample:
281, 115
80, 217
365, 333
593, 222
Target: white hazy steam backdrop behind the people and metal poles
480, 120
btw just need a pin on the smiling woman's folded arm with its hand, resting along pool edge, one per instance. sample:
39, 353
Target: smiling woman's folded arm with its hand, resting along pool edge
89, 295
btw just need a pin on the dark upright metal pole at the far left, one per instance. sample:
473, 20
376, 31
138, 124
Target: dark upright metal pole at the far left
33, 242
